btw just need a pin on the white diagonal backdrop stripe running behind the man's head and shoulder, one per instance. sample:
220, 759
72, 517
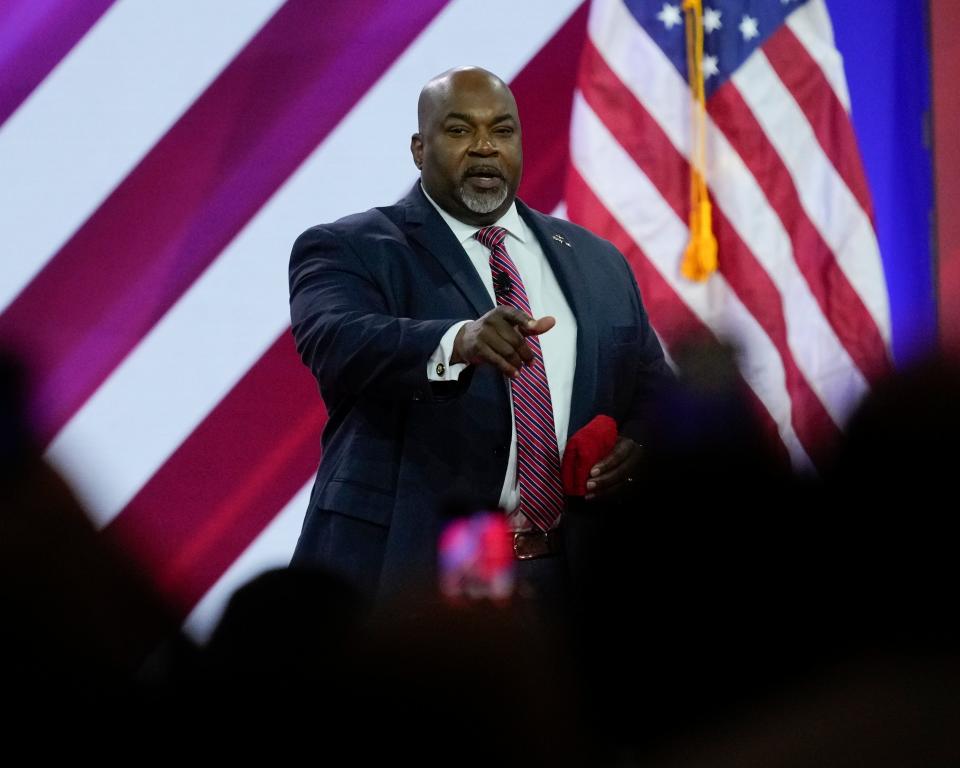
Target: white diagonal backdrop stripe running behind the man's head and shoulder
239, 306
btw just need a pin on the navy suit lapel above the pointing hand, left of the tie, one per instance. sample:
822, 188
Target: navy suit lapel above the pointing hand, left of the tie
425, 226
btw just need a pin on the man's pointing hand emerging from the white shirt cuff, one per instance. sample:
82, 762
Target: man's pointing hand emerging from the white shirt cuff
499, 339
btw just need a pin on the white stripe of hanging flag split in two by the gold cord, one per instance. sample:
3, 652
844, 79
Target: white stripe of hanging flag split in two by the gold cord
644, 69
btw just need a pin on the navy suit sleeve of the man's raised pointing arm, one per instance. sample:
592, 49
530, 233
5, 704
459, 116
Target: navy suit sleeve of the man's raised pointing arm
346, 332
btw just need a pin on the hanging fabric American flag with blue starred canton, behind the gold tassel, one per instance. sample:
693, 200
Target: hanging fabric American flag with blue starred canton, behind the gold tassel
800, 287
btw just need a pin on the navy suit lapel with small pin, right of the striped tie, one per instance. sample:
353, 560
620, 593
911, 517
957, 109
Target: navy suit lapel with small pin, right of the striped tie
568, 267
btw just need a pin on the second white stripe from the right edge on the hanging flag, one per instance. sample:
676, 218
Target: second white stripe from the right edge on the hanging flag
827, 200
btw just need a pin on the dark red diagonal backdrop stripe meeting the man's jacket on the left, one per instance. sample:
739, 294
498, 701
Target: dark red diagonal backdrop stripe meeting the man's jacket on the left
241, 465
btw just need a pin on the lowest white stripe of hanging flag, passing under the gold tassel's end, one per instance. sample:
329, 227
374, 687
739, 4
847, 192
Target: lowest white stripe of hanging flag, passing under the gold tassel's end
637, 205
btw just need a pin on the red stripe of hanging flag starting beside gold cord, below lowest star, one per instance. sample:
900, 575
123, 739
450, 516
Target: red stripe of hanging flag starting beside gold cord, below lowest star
839, 302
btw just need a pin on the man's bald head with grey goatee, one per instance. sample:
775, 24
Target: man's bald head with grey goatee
468, 144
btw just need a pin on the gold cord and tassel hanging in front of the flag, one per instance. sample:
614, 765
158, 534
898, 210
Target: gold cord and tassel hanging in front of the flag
700, 256
